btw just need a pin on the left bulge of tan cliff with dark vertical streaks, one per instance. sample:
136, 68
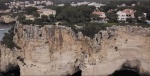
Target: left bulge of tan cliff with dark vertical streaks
51, 50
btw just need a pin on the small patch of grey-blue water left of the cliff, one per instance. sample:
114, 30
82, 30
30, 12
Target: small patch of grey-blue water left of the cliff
4, 29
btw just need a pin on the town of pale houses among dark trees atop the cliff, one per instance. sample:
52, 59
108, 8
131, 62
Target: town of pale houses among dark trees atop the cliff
31, 12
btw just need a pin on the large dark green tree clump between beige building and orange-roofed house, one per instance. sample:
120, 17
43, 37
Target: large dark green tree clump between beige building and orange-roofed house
75, 14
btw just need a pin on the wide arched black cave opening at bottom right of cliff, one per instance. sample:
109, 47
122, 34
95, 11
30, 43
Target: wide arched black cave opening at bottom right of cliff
125, 72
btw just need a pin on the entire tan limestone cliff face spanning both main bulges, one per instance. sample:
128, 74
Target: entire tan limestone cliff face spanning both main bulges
57, 50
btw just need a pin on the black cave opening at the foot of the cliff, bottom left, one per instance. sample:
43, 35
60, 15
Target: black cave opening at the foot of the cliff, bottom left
15, 71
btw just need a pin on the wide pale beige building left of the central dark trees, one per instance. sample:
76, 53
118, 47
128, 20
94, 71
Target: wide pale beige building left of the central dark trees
46, 12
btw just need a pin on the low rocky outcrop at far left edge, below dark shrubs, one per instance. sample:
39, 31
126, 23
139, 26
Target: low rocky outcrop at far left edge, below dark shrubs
7, 58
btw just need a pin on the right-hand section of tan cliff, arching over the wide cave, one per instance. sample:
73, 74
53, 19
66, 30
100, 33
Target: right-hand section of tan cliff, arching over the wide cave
123, 44
